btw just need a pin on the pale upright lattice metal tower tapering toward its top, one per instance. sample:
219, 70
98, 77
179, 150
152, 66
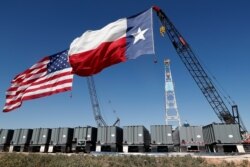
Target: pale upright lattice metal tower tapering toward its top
172, 114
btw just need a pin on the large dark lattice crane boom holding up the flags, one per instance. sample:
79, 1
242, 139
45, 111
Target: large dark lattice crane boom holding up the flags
198, 73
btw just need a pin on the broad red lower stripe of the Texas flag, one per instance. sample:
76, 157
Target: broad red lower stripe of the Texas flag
94, 61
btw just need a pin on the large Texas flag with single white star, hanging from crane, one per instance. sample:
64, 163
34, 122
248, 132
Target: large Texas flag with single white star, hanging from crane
117, 42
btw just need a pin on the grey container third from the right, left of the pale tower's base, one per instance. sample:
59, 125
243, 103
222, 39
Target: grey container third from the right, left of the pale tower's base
161, 134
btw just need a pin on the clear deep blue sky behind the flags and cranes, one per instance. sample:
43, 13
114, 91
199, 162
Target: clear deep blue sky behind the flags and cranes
218, 32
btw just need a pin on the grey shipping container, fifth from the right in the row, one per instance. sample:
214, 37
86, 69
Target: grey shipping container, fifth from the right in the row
109, 138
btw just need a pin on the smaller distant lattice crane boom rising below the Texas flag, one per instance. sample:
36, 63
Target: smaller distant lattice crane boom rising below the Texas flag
95, 103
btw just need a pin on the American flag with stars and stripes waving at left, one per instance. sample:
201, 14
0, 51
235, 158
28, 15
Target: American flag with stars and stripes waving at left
51, 75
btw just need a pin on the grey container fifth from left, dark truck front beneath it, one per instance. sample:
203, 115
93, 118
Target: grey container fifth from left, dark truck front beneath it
84, 139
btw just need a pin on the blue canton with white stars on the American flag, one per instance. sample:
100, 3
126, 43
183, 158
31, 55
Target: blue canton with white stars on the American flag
58, 62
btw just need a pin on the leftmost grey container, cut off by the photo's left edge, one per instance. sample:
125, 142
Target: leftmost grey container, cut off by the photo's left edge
5, 138
